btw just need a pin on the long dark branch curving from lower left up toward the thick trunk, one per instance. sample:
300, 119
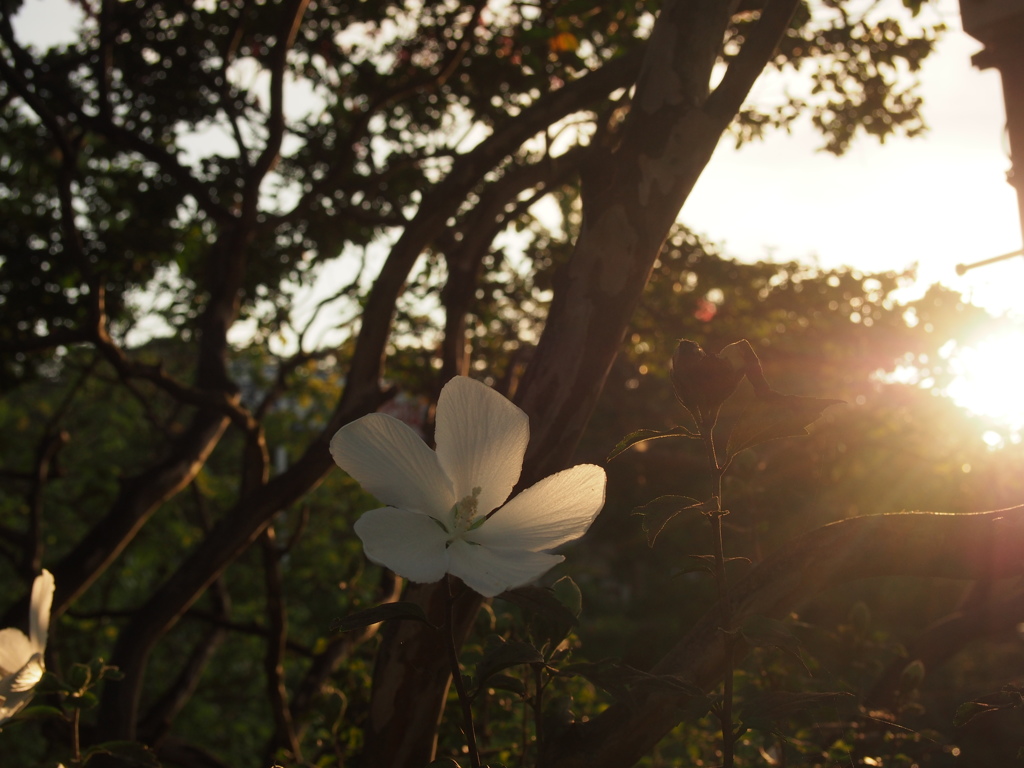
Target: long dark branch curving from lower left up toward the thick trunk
243, 525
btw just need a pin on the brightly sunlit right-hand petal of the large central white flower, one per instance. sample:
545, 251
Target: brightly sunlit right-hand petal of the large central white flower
557, 510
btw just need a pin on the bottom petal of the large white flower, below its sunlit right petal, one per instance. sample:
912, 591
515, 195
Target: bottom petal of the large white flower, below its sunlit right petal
491, 572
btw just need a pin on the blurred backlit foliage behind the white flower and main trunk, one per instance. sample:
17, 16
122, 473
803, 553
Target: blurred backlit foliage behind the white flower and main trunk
151, 166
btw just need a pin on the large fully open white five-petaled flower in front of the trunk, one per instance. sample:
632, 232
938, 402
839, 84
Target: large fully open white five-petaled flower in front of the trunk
438, 521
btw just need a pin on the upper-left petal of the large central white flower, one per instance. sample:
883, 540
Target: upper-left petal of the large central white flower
392, 462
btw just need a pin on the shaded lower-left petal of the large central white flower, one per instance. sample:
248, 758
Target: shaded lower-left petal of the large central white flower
410, 544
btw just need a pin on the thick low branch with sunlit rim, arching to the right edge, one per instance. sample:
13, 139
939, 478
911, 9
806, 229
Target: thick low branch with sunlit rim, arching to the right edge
989, 545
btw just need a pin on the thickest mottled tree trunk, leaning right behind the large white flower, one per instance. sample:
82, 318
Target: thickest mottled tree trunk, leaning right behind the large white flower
632, 197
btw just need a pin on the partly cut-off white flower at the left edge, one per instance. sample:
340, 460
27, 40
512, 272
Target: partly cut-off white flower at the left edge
22, 658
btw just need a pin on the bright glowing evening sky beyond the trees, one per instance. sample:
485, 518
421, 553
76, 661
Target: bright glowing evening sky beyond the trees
936, 201
